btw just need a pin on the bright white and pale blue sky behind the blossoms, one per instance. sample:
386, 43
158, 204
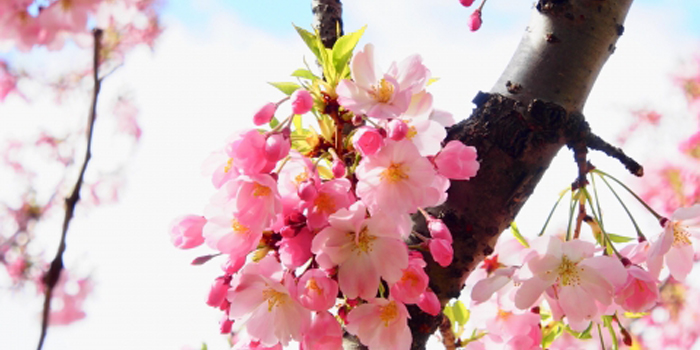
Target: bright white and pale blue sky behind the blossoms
208, 75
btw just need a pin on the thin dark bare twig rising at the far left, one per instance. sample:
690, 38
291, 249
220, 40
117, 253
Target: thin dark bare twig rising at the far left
51, 277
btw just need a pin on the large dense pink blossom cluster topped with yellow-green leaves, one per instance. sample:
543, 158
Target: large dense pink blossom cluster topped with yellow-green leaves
314, 221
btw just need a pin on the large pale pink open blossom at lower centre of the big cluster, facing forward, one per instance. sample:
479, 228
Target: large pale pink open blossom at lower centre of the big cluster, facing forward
364, 249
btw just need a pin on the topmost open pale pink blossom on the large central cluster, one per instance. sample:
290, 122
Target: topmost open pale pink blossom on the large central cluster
375, 95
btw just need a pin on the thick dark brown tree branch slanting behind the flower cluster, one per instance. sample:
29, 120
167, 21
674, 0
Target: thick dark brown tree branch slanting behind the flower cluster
531, 112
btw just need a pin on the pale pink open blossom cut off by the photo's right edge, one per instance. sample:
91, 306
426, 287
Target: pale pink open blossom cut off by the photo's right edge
674, 246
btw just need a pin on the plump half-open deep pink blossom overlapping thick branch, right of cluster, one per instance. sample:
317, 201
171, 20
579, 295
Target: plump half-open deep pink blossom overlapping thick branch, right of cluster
457, 161
